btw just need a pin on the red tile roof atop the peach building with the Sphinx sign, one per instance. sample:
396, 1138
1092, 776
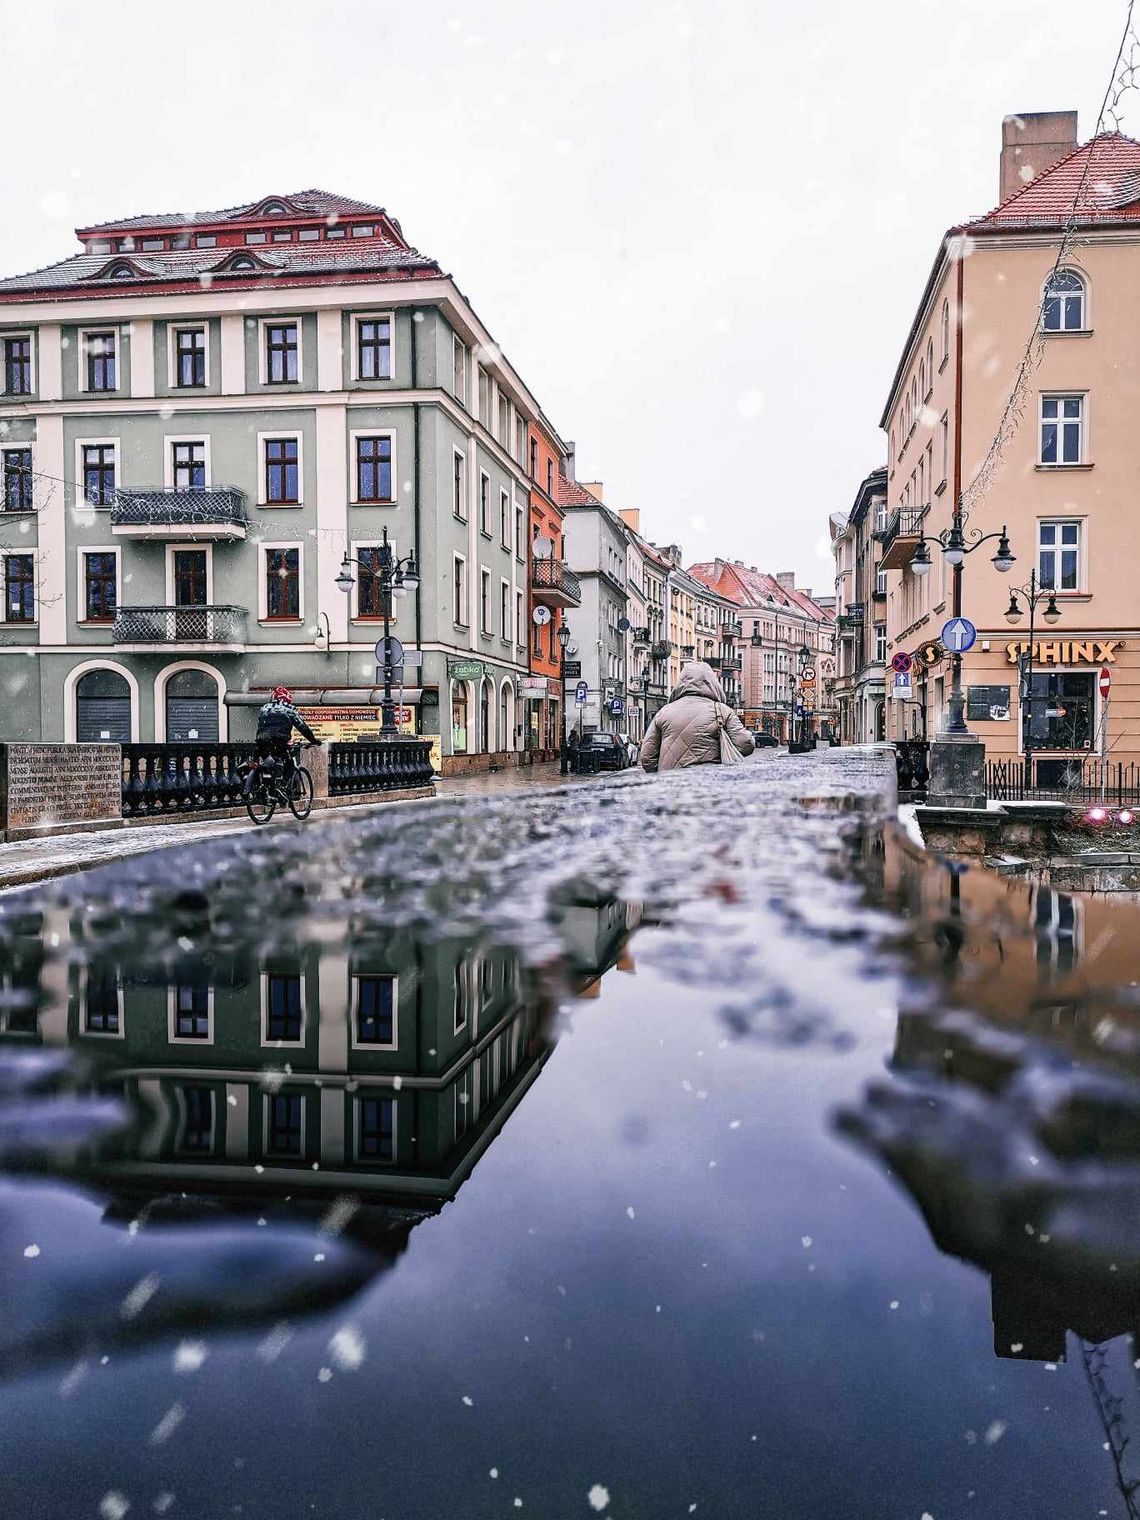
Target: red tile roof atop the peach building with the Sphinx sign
1100, 182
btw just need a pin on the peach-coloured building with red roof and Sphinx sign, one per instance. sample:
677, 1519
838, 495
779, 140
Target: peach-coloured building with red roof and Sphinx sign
1028, 337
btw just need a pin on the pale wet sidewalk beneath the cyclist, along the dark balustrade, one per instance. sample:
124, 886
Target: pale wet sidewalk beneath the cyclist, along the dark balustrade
39, 860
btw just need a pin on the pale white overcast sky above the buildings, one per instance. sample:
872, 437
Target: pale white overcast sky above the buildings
697, 230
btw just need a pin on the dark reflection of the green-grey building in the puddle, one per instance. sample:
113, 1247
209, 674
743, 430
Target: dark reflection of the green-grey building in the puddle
344, 1086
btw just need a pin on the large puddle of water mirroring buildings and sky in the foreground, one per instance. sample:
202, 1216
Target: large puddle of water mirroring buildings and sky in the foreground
533, 1186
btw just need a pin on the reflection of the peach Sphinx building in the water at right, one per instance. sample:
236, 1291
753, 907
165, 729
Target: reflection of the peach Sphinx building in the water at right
1012, 1113
